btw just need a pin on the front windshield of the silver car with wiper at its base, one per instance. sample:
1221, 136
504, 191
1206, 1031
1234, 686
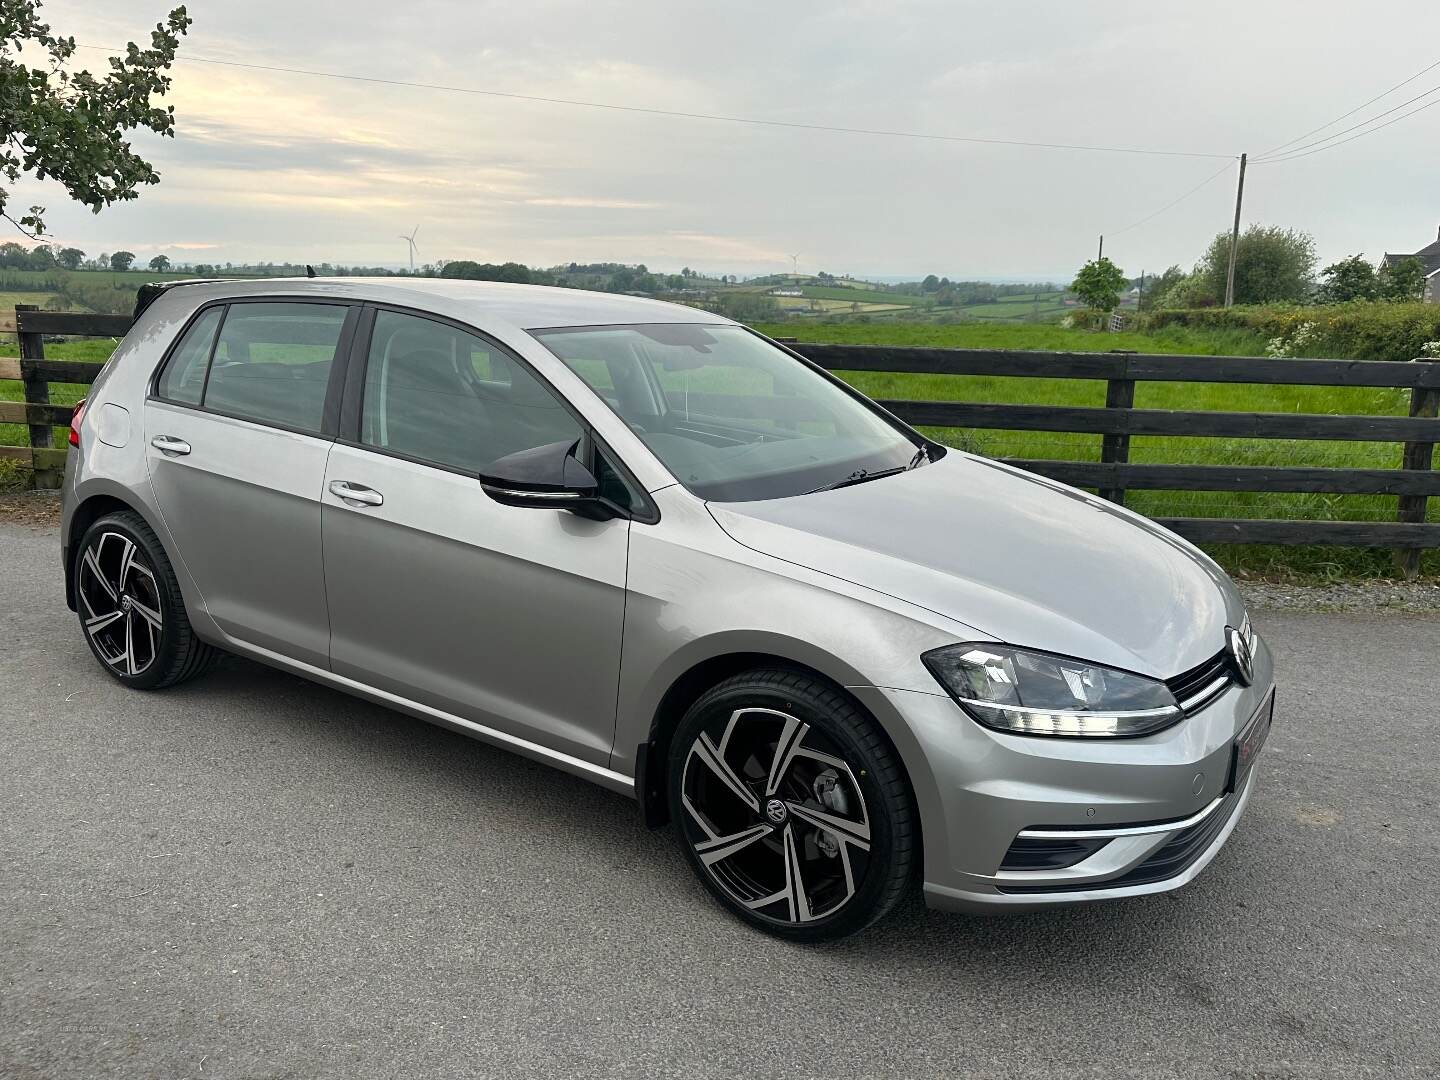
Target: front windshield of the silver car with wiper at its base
731, 415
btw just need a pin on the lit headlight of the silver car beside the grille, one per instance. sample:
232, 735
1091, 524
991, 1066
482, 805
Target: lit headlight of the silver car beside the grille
1035, 693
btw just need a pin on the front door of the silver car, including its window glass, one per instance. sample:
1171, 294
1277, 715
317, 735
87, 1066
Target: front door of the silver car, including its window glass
502, 616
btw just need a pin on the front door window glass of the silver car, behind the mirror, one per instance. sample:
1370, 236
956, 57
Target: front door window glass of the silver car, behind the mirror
443, 395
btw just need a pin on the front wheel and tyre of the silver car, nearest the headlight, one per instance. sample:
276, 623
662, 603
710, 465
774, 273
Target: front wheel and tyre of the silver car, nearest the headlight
793, 807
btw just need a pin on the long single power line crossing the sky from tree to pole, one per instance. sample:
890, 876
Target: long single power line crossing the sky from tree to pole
679, 114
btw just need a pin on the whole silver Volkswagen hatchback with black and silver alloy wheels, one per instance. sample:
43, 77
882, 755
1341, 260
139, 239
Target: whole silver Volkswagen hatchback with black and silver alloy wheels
657, 551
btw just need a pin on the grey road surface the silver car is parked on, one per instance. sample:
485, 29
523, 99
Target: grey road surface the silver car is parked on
251, 876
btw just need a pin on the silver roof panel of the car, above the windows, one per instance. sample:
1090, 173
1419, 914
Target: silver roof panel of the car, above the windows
525, 307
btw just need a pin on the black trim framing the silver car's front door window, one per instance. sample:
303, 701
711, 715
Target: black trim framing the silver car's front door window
354, 404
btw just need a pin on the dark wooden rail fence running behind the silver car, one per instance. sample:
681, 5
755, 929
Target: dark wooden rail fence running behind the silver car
1413, 482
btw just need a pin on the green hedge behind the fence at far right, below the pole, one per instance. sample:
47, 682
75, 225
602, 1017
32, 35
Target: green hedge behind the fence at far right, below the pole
1362, 330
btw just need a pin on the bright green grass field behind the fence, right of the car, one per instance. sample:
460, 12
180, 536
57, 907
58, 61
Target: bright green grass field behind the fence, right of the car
1310, 562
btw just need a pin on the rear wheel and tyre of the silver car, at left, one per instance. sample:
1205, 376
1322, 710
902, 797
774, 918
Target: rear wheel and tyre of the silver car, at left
130, 607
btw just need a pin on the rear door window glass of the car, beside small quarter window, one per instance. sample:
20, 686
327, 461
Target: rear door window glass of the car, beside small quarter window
273, 364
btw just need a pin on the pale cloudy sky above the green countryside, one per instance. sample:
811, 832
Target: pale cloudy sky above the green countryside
292, 168
